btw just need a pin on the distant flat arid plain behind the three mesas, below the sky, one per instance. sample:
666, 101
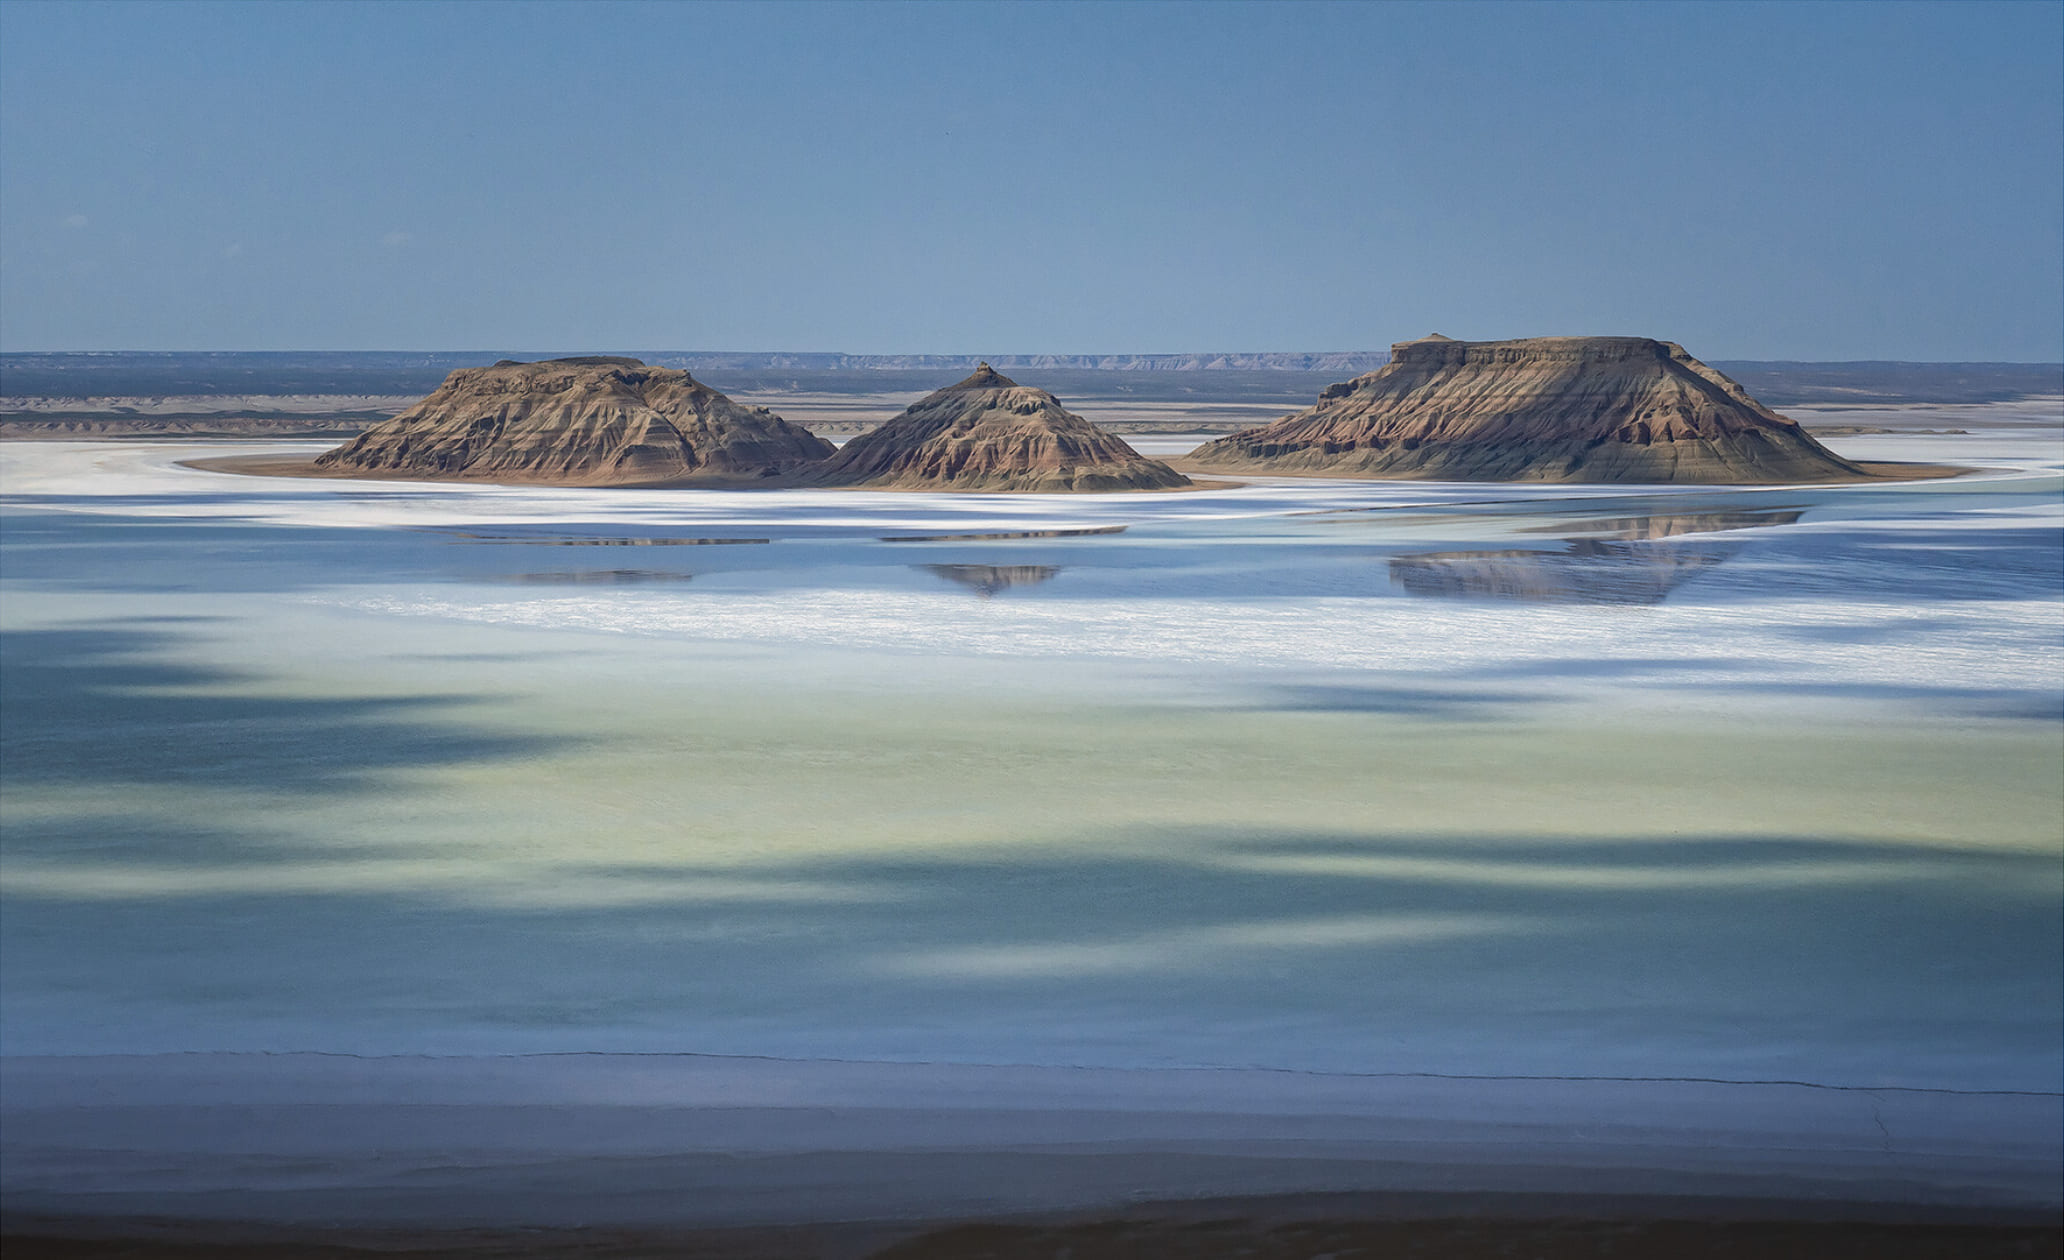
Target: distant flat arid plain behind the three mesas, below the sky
271, 396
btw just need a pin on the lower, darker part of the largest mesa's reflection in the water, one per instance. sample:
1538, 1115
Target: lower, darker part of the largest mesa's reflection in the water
1590, 571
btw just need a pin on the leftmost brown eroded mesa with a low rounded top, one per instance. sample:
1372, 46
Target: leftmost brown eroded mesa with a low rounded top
591, 420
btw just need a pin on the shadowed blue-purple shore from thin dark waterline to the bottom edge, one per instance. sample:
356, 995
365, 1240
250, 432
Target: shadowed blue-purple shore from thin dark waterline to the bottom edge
271, 1156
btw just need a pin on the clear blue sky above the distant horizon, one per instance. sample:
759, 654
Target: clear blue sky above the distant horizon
1755, 181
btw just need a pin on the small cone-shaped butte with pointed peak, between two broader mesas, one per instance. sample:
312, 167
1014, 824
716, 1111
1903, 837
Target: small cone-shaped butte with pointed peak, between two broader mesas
990, 433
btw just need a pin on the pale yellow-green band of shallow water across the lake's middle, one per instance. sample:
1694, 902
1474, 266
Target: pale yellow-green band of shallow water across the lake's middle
544, 774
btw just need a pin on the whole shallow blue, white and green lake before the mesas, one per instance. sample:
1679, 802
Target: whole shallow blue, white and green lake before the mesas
1357, 778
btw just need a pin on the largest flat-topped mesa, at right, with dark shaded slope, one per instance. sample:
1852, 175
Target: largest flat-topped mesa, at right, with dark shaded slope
1537, 410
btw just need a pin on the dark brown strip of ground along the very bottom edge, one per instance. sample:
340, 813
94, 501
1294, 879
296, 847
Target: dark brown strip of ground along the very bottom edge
1291, 1228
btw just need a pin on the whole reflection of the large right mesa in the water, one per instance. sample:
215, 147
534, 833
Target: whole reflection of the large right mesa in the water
1621, 569
